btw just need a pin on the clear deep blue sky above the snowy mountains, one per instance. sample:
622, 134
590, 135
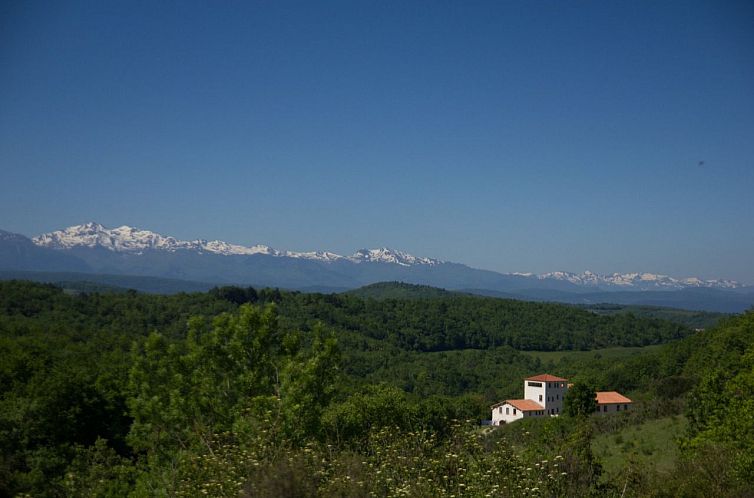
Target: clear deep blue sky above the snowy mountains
513, 136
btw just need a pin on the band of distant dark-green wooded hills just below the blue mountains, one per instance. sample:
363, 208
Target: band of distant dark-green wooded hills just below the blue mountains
442, 324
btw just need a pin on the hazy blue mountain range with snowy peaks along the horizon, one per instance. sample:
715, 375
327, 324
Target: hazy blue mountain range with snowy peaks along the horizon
94, 249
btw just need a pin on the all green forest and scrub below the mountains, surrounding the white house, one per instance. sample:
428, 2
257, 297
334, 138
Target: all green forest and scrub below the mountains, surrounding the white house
261, 392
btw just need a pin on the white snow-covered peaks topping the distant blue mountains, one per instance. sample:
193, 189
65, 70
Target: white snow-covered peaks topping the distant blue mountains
130, 240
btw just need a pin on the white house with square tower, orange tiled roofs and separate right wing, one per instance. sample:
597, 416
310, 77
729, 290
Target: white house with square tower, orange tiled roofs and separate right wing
543, 396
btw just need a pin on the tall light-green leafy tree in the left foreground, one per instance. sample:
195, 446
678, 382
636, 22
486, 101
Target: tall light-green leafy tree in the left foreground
186, 390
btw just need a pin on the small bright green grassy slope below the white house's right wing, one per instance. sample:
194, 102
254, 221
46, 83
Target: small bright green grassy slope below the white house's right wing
649, 445
